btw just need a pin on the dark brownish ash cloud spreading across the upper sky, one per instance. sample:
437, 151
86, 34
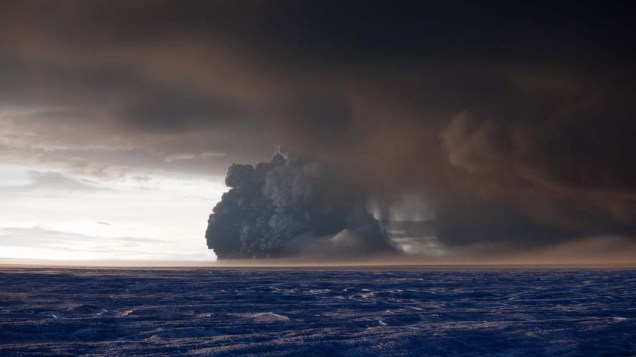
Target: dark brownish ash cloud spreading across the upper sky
513, 120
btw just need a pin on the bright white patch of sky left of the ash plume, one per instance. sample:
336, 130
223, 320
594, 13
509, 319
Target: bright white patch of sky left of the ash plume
145, 215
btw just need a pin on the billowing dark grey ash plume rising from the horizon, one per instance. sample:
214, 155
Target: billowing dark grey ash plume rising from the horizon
286, 207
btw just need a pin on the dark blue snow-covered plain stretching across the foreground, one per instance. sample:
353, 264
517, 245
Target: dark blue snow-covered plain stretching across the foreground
347, 312
